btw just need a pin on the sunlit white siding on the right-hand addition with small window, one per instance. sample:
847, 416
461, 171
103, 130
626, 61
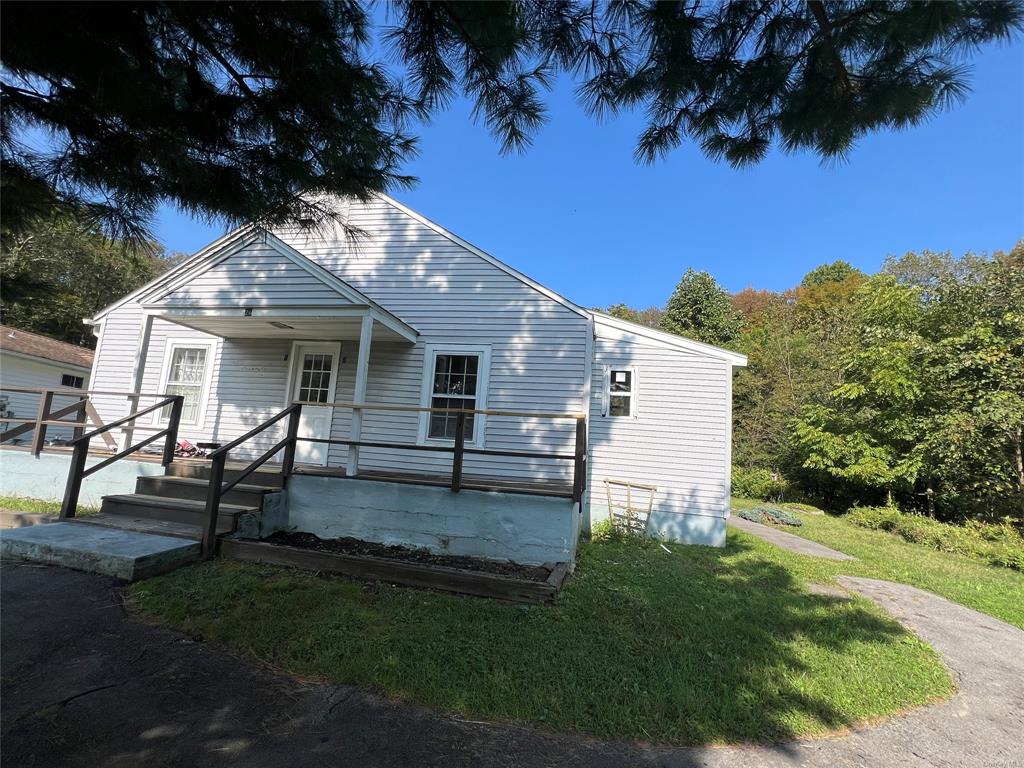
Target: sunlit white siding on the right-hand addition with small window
679, 441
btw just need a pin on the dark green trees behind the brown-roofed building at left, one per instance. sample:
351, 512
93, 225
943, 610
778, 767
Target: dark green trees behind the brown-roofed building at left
59, 271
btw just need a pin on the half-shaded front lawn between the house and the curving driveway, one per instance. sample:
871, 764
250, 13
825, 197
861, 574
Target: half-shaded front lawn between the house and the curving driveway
698, 647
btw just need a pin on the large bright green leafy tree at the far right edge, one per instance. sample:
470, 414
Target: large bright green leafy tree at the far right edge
931, 404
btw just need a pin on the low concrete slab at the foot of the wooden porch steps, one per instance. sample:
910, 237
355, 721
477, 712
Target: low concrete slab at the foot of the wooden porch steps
129, 556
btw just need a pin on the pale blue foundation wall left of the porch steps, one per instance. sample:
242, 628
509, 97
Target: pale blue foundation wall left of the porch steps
45, 478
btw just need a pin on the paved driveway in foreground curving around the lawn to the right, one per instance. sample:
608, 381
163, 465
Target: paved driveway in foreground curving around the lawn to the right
87, 686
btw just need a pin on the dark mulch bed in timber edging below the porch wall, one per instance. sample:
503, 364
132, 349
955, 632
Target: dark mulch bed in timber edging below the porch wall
348, 546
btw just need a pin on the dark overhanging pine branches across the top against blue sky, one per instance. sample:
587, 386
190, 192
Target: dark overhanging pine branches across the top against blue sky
230, 111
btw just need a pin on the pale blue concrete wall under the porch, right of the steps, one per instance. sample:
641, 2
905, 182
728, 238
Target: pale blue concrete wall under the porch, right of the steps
529, 530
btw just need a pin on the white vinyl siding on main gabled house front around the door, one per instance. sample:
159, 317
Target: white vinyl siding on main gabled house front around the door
448, 293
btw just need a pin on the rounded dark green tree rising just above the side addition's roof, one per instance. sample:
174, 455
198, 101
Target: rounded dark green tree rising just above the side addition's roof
702, 310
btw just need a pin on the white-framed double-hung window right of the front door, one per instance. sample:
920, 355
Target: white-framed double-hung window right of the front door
458, 380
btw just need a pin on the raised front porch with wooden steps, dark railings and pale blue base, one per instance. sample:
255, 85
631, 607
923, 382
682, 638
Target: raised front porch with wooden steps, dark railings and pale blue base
518, 519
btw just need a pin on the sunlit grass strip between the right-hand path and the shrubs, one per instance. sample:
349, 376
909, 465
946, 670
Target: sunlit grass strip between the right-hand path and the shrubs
997, 591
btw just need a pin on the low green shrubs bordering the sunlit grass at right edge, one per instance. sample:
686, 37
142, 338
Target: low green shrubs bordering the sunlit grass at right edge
996, 544
